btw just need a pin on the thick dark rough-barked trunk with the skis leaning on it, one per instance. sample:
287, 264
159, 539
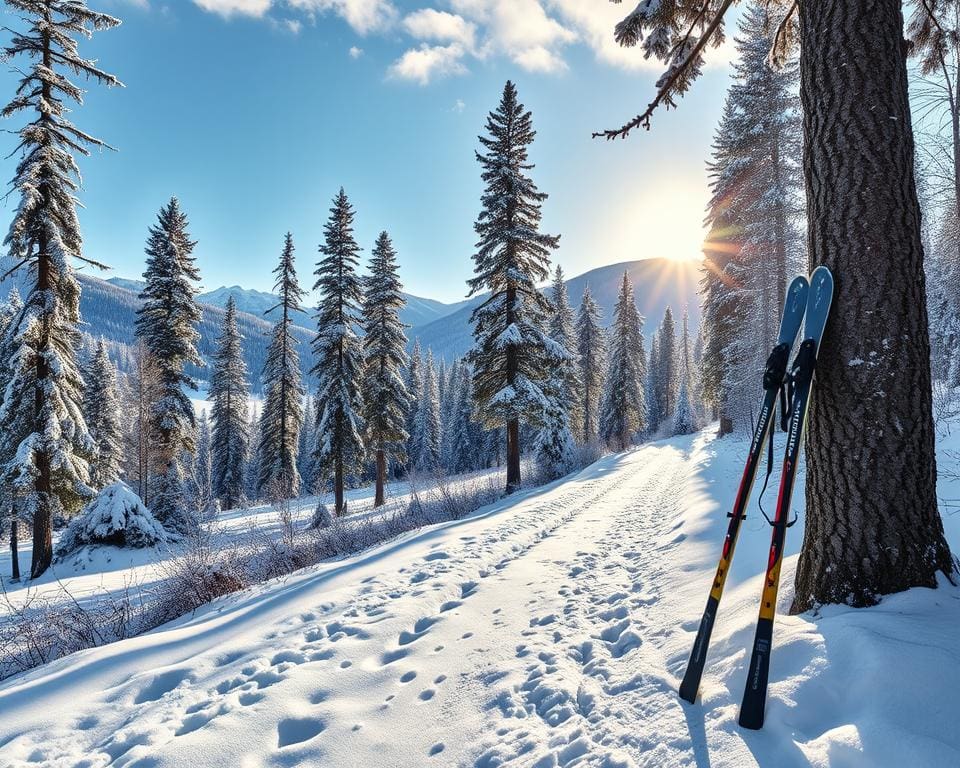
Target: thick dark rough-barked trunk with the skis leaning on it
872, 522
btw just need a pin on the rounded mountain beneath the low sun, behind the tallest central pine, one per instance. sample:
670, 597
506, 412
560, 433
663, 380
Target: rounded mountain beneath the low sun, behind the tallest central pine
657, 283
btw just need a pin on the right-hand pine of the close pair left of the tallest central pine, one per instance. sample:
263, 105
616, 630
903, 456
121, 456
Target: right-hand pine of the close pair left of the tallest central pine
385, 395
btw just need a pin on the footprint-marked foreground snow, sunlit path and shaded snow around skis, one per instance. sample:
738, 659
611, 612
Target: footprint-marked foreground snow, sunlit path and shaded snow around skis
549, 629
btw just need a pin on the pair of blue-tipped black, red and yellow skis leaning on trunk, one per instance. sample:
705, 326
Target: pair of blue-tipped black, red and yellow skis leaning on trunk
807, 302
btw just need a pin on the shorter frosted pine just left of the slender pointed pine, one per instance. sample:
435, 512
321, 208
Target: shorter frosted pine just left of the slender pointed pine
229, 395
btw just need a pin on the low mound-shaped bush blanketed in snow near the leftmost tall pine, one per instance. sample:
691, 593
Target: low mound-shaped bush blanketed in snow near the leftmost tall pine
116, 516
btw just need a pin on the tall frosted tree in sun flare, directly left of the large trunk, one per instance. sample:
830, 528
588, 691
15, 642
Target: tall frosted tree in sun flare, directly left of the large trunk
755, 208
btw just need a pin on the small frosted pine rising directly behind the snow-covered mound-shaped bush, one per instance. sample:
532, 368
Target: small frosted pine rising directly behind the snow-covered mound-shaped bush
101, 410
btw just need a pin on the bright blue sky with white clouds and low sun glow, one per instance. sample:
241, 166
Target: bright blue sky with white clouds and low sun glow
254, 113
